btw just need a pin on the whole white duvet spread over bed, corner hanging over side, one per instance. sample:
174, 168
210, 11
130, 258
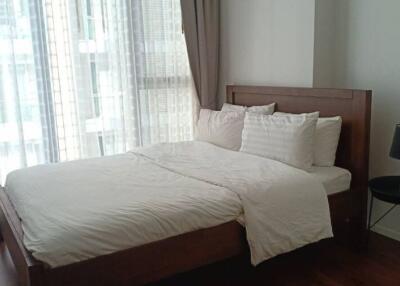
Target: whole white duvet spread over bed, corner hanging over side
78, 210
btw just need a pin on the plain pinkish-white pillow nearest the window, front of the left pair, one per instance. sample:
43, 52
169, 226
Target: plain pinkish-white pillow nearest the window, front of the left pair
223, 129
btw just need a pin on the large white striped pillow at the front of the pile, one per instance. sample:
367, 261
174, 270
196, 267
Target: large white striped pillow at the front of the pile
287, 139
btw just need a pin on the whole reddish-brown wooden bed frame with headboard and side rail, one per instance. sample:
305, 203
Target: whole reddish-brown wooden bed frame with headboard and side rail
160, 259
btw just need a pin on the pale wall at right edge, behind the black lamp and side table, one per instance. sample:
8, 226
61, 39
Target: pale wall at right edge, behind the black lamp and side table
367, 56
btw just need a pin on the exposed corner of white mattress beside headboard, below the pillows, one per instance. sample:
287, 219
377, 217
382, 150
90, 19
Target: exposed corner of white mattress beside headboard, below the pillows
334, 179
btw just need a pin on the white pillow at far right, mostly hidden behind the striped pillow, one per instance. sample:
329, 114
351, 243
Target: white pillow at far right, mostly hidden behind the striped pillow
327, 137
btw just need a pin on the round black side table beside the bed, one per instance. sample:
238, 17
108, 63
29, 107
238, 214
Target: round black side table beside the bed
386, 189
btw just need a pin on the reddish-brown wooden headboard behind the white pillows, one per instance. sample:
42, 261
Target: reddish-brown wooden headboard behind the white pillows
354, 106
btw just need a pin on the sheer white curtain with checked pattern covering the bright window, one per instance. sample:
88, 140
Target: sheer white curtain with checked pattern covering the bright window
84, 78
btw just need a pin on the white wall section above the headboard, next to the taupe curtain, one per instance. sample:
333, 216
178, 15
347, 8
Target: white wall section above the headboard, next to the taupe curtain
266, 42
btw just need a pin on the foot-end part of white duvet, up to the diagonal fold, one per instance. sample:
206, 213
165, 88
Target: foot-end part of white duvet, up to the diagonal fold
78, 210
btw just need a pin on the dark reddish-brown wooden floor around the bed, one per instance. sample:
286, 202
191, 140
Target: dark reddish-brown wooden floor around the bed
322, 264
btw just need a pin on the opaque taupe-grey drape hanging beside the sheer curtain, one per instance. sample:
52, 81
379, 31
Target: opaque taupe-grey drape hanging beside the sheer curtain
200, 20
